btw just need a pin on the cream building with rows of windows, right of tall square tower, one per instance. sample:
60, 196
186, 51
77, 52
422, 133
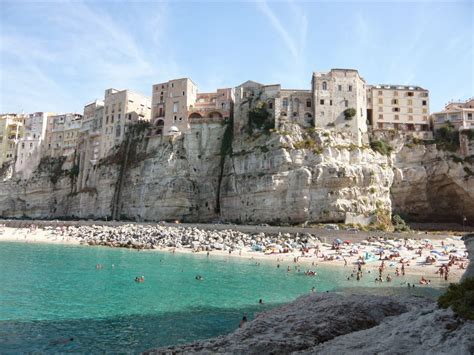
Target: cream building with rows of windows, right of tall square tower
401, 108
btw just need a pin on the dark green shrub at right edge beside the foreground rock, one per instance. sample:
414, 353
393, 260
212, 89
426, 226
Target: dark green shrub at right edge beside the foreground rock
460, 297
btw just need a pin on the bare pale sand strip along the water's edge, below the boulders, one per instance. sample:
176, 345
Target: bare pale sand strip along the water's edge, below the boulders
311, 262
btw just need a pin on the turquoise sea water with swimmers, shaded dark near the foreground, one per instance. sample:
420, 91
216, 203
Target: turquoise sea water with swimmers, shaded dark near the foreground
50, 293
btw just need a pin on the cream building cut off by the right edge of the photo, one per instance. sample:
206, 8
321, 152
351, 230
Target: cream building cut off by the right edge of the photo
458, 114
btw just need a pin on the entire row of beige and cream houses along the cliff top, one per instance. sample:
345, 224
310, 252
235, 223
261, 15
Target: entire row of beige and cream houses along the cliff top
338, 100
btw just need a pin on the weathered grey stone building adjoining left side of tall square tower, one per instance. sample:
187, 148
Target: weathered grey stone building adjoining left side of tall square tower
283, 105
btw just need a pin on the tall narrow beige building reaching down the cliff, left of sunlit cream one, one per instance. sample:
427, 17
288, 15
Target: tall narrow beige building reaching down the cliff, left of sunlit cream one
89, 142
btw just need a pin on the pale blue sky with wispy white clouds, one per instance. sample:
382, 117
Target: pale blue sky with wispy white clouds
57, 56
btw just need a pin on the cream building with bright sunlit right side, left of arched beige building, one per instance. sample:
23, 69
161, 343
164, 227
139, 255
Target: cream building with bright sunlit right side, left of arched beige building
121, 108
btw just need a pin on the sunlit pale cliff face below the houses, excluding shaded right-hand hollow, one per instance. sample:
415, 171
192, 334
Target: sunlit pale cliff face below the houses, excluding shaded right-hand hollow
288, 176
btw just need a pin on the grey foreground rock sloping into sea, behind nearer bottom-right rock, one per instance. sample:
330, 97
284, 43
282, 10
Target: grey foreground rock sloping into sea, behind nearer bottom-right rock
305, 323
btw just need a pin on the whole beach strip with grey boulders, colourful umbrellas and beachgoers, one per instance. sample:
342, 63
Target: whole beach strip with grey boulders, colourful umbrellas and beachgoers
445, 258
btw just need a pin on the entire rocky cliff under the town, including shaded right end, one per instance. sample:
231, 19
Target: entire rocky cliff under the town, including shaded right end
293, 175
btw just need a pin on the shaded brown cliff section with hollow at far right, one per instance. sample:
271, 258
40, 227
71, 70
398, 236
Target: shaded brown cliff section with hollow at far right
432, 185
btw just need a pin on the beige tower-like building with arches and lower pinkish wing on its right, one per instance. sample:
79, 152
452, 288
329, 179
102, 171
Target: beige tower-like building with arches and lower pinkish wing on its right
177, 102
